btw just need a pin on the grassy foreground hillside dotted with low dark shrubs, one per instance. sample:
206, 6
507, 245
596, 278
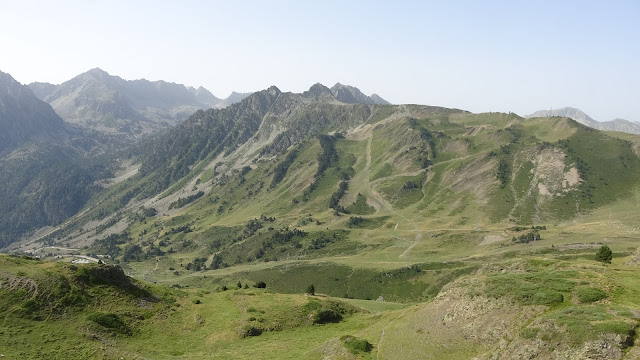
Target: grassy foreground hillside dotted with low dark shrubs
547, 303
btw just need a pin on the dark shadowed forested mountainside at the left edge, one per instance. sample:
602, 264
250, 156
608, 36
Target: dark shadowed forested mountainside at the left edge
47, 167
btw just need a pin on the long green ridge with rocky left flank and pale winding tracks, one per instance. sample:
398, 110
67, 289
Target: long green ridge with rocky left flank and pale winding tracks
433, 165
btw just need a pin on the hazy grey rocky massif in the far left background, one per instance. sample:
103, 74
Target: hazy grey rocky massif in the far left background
99, 101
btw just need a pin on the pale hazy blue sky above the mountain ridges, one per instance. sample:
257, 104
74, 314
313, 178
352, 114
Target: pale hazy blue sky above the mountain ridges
518, 56
